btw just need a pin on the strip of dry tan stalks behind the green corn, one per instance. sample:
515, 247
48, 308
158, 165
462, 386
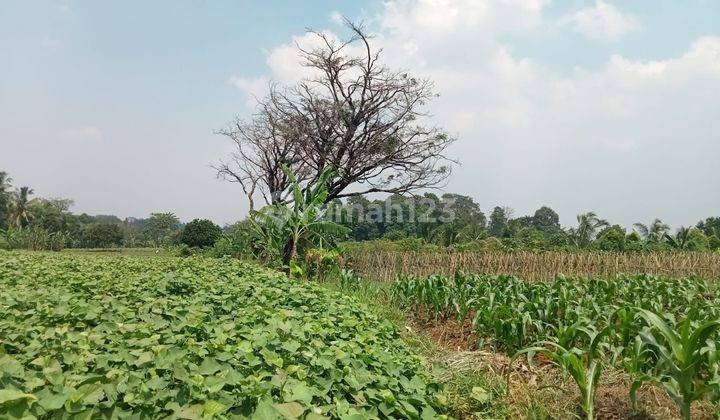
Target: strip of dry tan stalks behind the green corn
529, 265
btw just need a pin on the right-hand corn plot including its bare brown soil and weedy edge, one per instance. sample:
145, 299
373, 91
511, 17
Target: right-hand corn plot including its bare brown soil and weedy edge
625, 347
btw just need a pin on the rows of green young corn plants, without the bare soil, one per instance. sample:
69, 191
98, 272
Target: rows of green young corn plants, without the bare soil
662, 330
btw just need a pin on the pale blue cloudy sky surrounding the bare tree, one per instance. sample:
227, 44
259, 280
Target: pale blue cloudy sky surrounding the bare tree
606, 106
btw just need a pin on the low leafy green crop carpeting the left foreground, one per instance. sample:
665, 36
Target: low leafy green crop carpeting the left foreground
115, 337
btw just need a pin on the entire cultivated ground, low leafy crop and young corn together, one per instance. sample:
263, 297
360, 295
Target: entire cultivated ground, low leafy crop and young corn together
108, 335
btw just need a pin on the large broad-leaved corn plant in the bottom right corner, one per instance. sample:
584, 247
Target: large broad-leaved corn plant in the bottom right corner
681, 369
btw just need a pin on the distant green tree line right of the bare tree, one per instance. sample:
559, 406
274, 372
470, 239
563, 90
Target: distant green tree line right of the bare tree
457, 220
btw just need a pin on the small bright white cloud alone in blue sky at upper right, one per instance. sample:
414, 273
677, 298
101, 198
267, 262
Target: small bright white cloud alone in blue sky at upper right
603, 22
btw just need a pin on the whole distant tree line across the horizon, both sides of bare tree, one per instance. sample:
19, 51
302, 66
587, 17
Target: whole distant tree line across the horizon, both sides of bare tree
429, 220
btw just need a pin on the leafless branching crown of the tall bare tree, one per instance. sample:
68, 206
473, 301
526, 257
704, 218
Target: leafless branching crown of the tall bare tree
355, 115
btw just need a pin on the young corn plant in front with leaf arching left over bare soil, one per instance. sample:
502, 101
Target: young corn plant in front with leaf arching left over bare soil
583, 365
